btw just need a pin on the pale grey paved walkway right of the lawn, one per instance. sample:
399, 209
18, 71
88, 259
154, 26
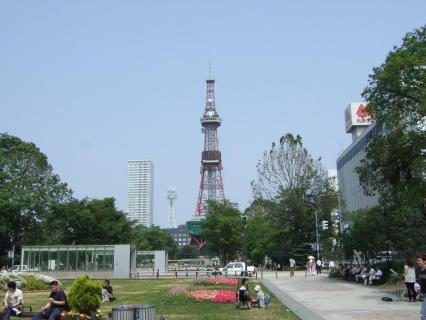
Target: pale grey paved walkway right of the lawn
318, 298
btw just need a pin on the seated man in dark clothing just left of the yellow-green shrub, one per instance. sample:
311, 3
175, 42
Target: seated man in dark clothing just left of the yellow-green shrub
56, 305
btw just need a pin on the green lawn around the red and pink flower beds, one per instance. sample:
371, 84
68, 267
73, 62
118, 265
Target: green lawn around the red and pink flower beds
155, 292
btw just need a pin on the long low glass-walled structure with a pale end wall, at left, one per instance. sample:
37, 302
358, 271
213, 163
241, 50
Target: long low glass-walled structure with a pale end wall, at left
72, 260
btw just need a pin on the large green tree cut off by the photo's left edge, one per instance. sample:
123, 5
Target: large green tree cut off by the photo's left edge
28, 191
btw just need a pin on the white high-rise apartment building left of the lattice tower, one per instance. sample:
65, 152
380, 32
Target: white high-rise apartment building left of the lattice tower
140, 203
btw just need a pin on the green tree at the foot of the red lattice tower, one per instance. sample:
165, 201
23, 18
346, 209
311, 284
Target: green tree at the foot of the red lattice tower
223, 230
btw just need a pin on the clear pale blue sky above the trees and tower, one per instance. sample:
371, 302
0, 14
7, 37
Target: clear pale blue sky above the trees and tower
96, 83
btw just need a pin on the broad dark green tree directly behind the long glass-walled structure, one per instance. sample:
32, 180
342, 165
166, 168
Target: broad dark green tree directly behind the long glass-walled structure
88, 221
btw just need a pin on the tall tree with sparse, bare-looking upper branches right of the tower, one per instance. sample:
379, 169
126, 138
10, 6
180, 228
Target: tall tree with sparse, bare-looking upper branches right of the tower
291, 187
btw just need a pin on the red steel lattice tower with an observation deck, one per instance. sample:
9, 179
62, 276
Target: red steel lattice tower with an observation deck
211, 185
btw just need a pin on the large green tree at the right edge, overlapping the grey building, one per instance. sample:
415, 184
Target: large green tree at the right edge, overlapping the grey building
395, 162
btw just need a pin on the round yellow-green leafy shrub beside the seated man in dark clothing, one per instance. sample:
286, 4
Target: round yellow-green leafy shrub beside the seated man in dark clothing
85, 295
